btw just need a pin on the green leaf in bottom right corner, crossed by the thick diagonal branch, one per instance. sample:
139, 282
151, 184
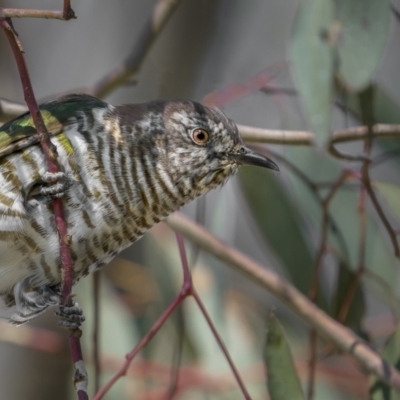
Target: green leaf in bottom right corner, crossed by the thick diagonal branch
390, 353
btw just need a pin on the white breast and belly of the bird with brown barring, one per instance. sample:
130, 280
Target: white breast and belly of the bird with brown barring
118, 191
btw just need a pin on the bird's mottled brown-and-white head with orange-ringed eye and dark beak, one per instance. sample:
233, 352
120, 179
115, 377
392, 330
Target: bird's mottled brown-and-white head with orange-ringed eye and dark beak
204, 146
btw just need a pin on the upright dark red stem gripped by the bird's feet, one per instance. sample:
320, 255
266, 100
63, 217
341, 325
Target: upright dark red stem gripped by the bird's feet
80, 377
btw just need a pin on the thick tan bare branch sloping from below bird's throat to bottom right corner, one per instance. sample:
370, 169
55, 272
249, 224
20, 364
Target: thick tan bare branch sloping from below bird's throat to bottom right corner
325, 326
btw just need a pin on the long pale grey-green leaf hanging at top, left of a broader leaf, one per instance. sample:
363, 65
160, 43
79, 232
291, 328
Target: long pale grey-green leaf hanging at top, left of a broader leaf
312, 60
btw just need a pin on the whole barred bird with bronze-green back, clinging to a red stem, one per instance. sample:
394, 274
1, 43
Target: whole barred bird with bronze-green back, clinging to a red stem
122, 170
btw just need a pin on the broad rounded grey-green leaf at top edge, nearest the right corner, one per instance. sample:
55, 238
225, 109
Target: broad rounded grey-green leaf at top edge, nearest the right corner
364, 28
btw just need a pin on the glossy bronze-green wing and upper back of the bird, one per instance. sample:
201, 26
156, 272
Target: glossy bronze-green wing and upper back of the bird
21, 133
